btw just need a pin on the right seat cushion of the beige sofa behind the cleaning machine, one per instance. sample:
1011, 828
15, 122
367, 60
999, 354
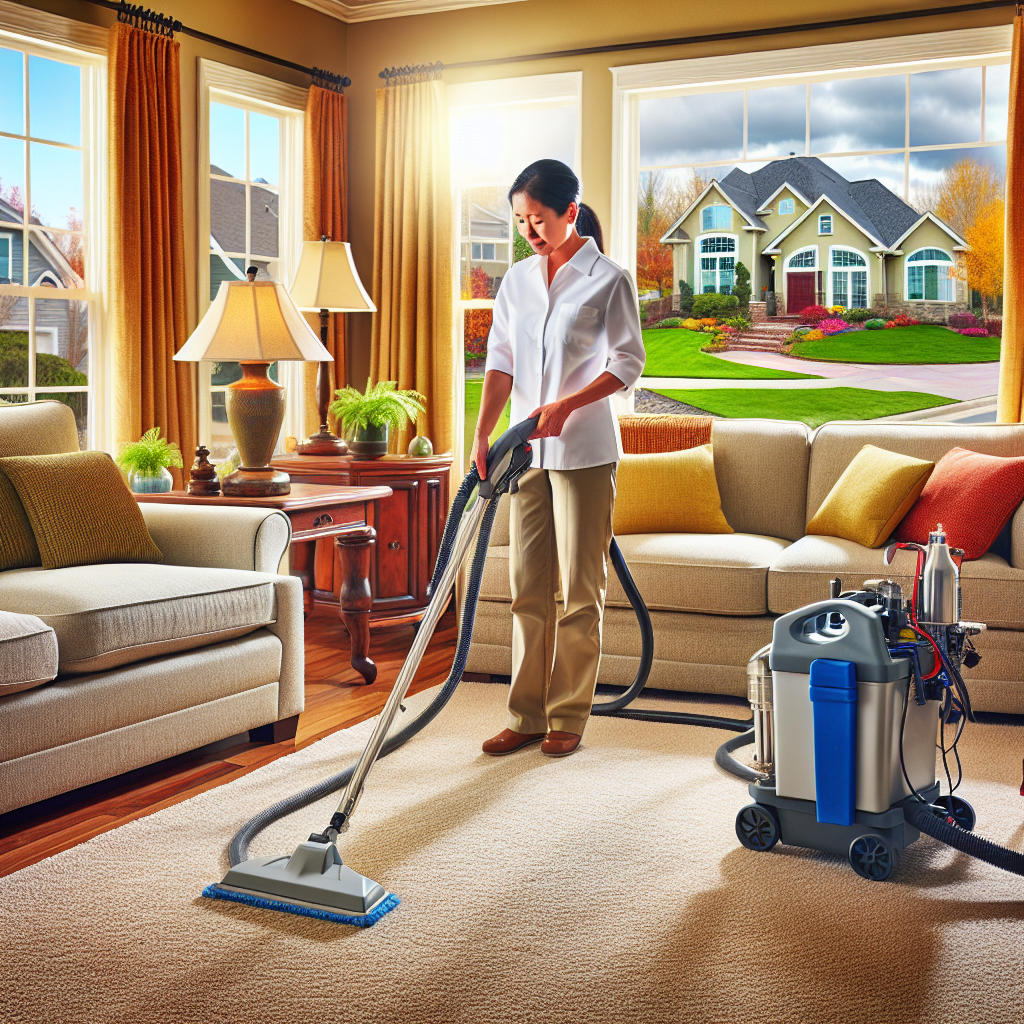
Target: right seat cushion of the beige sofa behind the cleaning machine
994, 591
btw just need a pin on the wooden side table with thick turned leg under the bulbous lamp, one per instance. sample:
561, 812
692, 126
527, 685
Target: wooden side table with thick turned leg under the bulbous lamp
343, 517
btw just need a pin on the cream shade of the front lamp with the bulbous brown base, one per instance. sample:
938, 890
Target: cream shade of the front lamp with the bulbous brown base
254, 322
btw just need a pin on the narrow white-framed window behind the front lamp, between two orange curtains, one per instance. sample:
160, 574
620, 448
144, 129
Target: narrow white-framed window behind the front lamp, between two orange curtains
251, 214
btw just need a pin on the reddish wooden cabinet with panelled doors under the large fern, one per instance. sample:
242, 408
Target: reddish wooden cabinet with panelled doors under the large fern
410, 526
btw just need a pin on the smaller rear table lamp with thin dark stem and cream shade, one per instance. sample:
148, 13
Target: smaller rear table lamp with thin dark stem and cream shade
327, 281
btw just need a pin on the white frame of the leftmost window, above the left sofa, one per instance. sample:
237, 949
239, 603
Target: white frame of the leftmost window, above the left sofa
47, 35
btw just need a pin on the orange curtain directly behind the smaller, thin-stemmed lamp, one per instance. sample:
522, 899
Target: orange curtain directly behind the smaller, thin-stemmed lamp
325, 211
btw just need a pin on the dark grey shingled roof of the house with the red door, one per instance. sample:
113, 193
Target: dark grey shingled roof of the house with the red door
869, 204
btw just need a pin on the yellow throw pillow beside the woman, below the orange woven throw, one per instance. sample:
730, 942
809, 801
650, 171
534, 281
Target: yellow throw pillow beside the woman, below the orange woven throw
669, 493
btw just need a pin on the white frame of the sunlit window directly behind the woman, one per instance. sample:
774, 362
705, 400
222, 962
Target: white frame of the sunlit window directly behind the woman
556, 90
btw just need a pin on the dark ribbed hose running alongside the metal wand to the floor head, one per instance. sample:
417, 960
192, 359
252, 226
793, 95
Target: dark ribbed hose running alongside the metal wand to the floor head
238, 850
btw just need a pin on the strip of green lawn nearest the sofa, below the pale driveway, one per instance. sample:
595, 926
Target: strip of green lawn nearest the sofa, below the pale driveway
814, 406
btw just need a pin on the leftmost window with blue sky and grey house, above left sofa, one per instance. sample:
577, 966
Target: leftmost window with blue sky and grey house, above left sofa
52, 147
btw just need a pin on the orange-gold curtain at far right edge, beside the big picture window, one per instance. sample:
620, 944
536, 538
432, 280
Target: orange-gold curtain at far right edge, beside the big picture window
1012, 361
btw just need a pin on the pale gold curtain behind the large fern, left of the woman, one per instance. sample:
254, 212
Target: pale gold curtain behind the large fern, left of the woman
412, 288
